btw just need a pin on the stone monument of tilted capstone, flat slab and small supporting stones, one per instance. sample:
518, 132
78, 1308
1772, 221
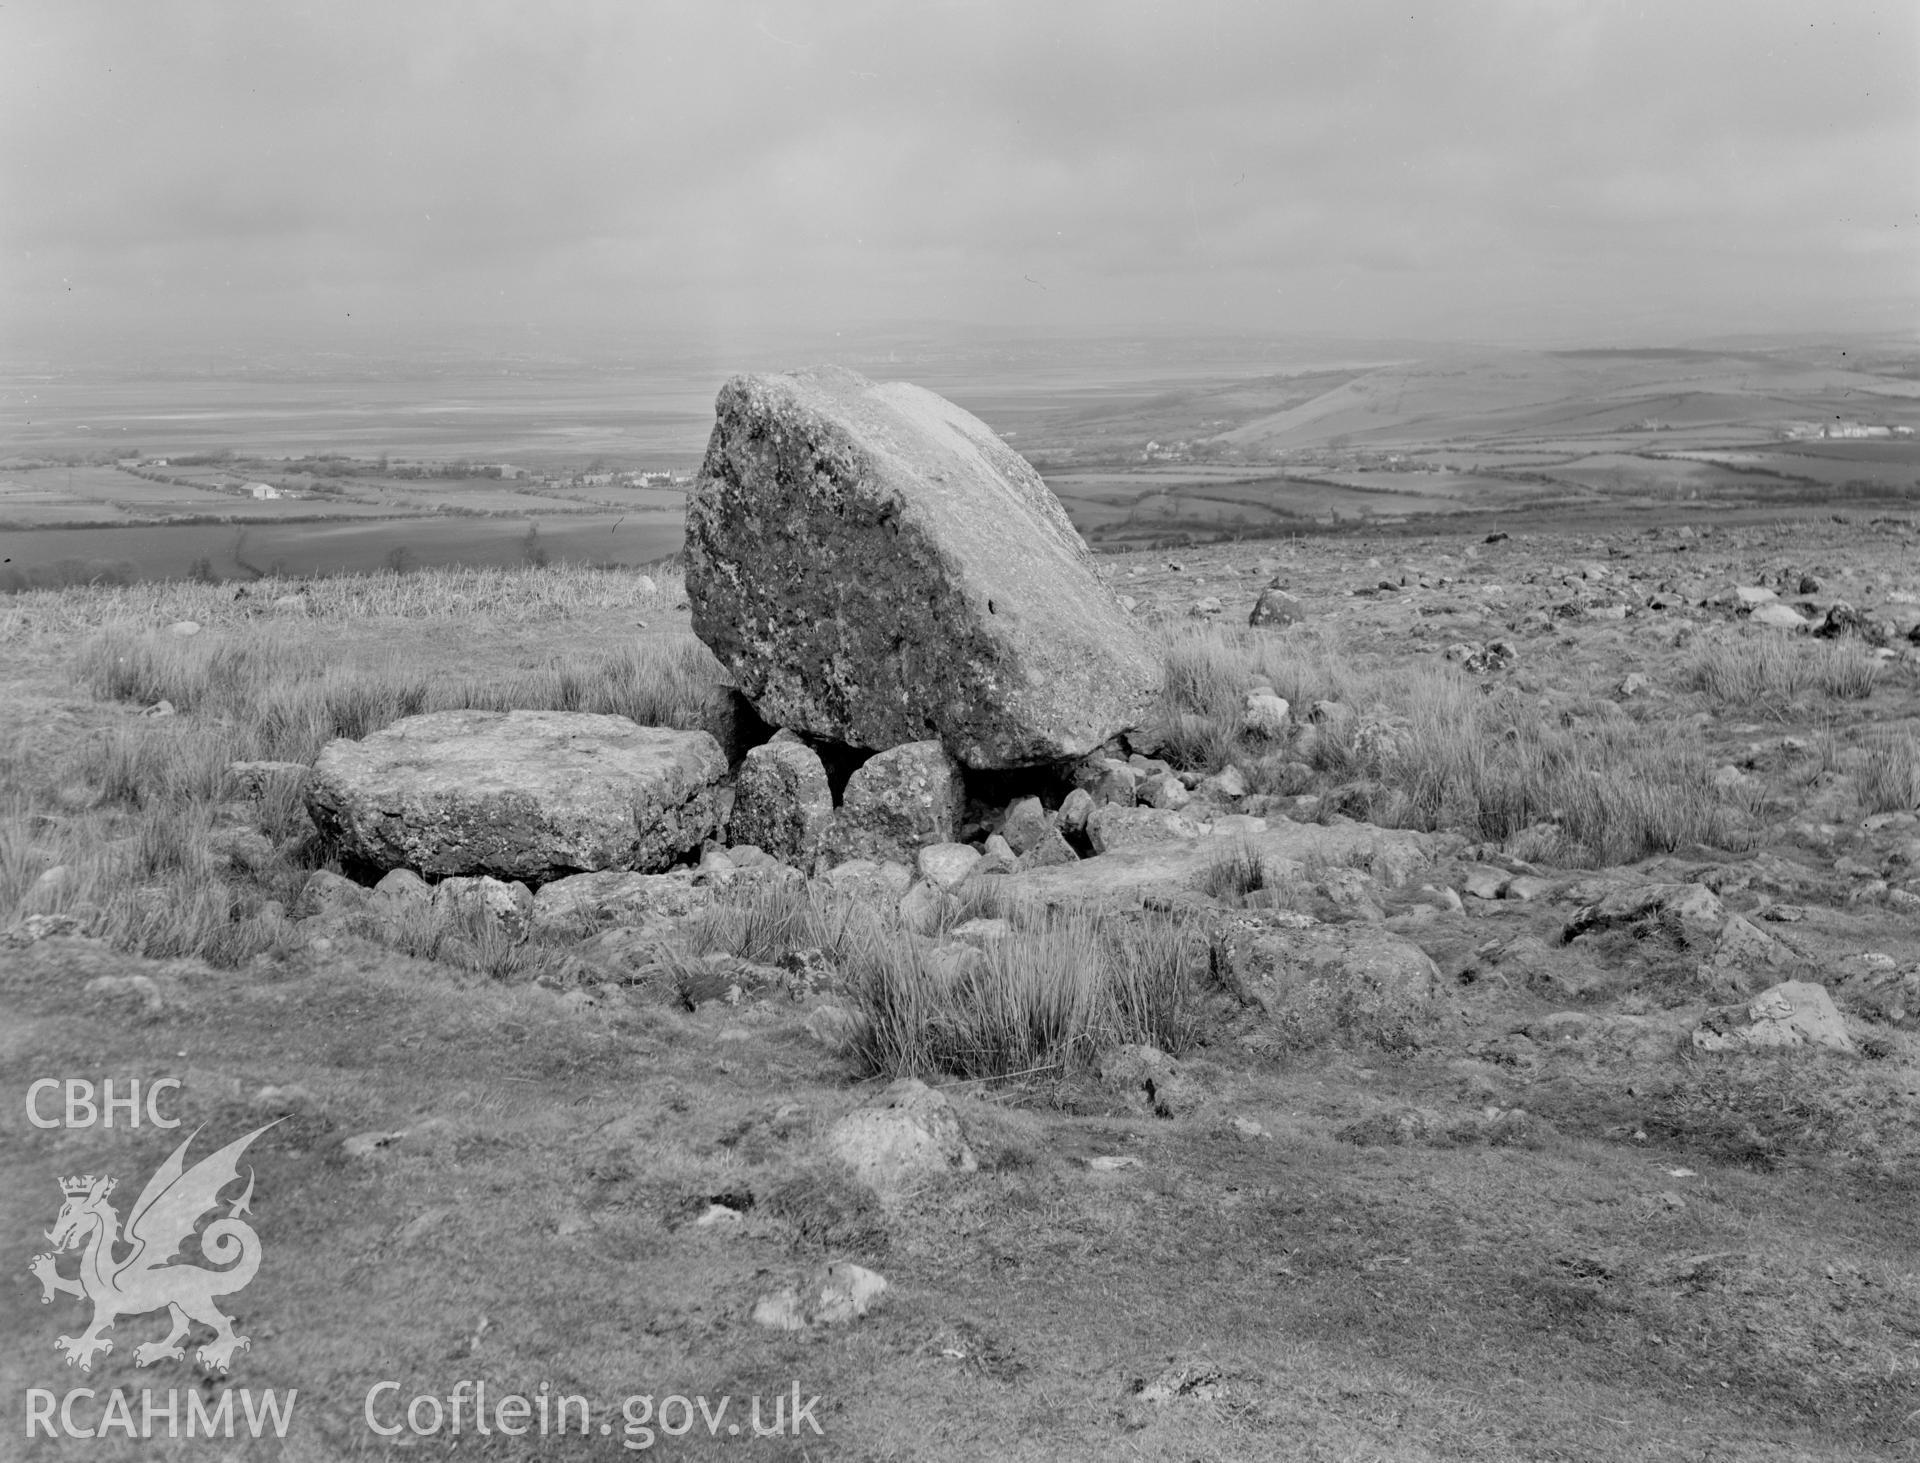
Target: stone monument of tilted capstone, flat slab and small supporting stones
903, 600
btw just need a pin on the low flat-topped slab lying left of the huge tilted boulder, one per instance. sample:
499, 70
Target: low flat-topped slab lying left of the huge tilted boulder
517, 794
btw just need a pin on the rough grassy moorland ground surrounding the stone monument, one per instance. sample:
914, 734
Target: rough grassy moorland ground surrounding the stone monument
1533, 1226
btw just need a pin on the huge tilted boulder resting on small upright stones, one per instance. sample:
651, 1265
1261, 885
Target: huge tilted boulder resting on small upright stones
876, 567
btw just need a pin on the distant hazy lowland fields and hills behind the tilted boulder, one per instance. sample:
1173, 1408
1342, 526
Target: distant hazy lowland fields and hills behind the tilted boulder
1145, 443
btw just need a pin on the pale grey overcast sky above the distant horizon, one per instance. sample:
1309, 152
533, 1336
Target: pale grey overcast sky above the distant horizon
414, 172
